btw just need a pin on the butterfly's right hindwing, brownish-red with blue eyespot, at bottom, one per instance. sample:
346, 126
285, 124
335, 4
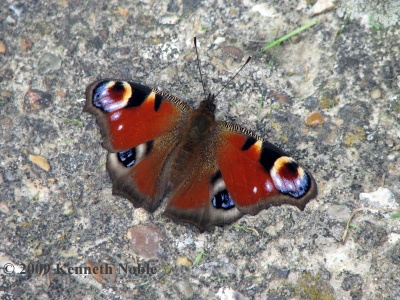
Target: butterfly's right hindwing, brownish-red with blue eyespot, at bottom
200, 197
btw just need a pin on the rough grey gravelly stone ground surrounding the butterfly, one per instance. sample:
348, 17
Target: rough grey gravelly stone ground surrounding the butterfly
346, 68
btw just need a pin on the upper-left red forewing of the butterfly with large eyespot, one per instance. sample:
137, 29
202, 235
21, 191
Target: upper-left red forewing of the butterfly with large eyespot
130, 114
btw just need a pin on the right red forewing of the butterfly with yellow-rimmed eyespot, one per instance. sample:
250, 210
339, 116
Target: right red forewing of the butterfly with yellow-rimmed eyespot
258, 174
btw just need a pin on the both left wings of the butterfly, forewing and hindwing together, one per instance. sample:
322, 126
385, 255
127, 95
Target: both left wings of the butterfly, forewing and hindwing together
140, 128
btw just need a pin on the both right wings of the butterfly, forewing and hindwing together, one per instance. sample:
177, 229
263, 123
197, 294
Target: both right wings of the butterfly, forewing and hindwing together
235, 173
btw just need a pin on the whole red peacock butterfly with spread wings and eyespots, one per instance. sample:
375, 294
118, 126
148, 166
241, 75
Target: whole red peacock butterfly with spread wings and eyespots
212, 172
